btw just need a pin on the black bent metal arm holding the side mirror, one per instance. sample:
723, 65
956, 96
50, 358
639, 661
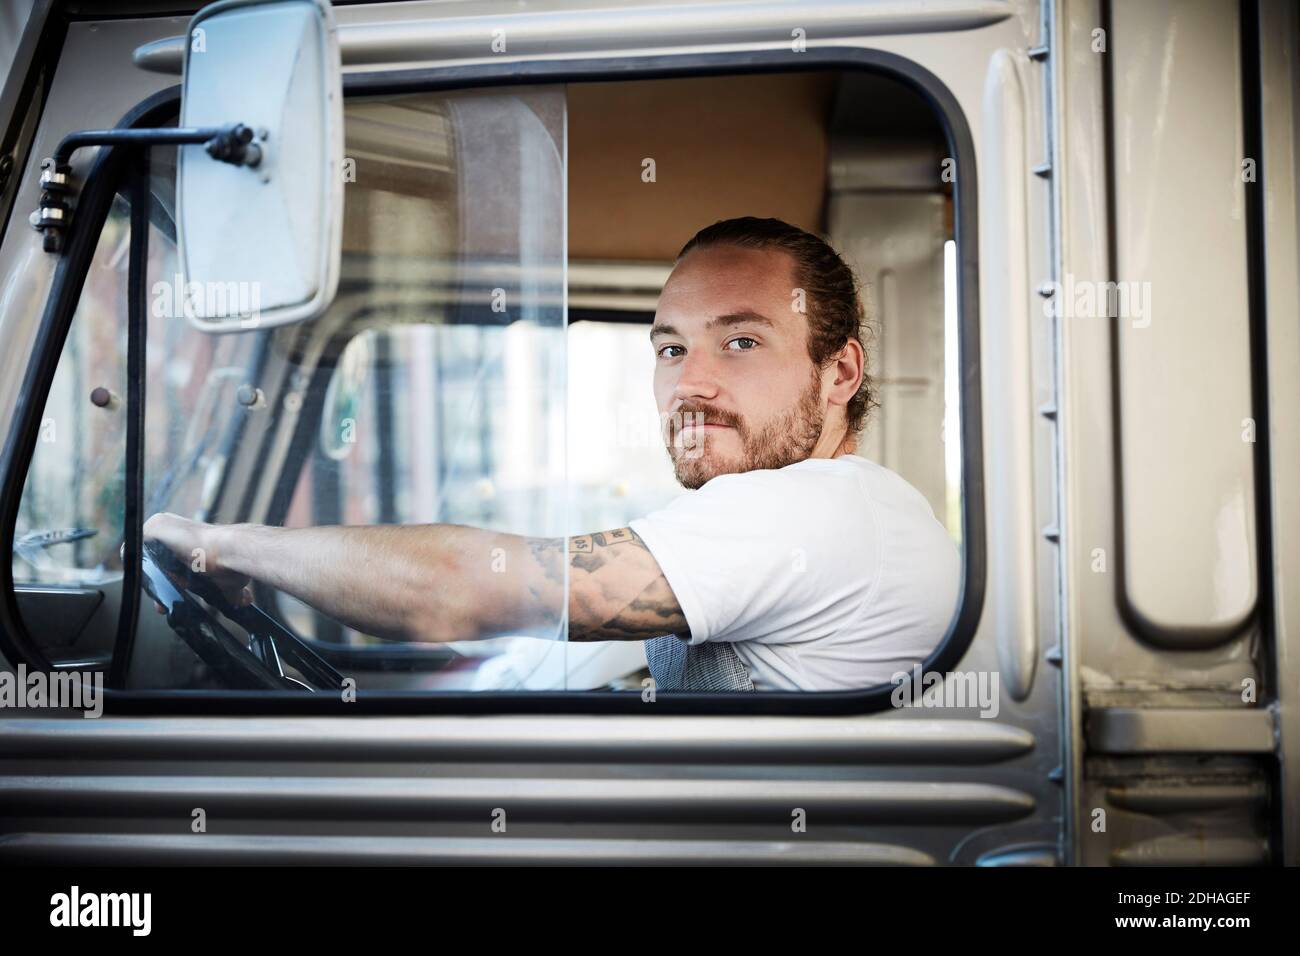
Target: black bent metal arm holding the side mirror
235, 144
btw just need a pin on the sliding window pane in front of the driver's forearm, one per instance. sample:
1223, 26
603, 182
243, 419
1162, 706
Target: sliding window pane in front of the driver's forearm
432, 391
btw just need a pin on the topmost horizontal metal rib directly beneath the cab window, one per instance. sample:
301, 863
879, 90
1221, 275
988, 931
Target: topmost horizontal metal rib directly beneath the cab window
489, 739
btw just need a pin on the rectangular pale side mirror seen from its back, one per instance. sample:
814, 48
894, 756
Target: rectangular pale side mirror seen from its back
259, 235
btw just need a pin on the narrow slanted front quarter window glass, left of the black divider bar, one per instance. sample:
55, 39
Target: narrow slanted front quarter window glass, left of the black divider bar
68, 538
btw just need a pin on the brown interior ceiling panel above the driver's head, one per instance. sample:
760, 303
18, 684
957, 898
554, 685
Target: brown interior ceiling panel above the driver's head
723, 146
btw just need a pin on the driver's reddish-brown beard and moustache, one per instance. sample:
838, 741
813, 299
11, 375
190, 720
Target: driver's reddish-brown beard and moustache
783, 440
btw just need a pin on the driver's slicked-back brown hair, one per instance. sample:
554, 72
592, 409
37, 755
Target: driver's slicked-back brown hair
834, 305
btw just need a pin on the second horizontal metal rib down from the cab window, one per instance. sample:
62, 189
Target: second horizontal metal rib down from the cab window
448, 799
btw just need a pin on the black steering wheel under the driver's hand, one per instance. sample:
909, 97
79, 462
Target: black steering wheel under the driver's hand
257, 664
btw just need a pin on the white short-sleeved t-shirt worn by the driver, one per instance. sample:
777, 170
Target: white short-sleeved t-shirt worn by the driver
831, 574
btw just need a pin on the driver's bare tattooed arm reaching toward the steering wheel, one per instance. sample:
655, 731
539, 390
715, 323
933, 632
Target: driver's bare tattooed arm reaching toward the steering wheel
441, 582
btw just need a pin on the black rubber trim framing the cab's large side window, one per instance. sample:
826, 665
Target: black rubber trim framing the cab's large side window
967, 227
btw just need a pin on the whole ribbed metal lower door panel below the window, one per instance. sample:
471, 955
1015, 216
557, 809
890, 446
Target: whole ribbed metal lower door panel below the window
577, 790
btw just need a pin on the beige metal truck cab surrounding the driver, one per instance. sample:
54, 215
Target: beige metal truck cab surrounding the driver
1077, 228
